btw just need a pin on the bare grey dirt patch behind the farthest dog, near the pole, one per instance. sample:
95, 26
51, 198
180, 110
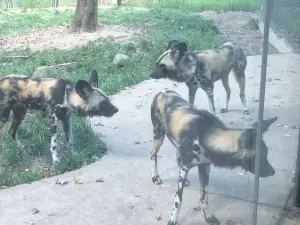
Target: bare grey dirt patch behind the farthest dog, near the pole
233, 27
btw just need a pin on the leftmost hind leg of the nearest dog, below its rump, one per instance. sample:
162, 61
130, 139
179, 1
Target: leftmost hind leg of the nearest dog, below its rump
158, 139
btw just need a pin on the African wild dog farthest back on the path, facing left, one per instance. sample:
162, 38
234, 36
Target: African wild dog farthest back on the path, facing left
202, 69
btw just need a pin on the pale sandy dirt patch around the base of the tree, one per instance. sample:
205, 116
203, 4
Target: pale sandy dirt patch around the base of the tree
58, 37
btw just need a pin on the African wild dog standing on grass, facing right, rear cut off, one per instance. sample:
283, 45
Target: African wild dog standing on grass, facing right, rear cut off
58, 97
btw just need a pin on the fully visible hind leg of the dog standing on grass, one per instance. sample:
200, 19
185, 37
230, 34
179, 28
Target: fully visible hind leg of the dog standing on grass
18, 116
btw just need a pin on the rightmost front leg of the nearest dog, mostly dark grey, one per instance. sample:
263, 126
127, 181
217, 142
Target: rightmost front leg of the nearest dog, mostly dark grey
204, 171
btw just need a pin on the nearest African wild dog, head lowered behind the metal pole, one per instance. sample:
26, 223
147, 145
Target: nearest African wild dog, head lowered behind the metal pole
202, 139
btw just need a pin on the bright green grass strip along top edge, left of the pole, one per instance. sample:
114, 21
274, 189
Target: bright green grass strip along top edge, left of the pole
198, 5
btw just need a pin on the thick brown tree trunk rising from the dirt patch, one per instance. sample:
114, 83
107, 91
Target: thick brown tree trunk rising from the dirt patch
85, 18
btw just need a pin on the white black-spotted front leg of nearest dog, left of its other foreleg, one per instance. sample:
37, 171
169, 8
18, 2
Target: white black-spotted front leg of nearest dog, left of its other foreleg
178, 197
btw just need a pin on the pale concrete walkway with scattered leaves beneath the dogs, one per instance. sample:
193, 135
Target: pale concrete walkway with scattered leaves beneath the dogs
128, 197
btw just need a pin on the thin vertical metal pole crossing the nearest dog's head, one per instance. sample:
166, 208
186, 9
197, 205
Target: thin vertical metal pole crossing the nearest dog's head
261, 106
